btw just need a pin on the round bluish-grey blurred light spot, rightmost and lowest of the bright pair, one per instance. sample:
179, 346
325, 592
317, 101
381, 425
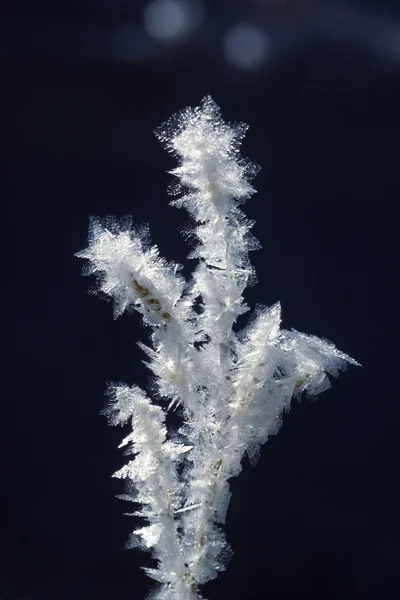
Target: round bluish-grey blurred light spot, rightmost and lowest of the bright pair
246, 46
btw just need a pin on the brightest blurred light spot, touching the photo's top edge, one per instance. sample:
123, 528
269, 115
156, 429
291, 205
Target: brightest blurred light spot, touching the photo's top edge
172, 20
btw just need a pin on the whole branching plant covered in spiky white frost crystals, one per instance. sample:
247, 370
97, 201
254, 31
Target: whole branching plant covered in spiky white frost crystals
231, 387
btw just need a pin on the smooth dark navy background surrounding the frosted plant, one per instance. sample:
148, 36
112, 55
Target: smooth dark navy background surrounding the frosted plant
318, 517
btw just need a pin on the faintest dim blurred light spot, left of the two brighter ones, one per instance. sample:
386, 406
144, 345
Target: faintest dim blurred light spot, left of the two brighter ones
130, 43
